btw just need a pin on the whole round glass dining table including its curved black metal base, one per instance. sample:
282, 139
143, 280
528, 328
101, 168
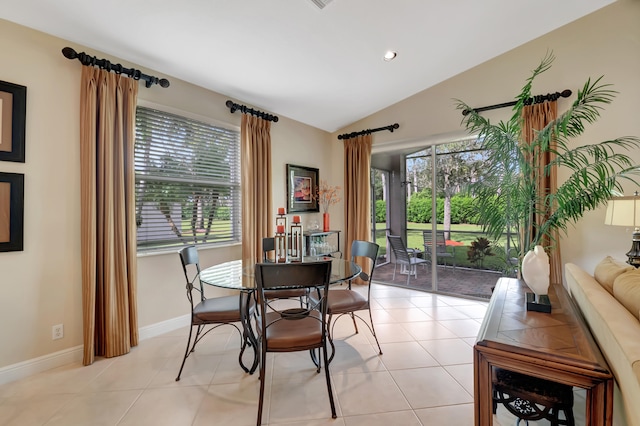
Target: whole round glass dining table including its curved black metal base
239, 275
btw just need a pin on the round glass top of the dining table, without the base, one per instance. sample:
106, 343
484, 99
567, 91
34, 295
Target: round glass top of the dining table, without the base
239, 275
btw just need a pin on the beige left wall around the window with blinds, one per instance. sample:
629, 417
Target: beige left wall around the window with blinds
41, 286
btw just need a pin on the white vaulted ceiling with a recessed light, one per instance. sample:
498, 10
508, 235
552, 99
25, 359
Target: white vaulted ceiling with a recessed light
320, 66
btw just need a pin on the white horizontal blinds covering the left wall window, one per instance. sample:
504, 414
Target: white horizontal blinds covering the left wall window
187, 181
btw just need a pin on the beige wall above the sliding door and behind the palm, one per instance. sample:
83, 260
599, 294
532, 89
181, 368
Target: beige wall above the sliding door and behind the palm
604, 43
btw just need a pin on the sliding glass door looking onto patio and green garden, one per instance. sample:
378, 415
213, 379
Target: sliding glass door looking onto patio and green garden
441, 217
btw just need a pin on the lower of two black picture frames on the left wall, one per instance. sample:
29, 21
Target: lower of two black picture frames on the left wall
11, 212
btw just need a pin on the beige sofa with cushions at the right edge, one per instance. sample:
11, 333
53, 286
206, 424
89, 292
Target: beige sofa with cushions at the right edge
610, 303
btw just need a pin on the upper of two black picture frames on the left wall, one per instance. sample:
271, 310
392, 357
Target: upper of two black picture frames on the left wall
13, 114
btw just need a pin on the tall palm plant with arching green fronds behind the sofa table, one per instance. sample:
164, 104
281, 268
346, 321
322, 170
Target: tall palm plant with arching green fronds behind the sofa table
508, 196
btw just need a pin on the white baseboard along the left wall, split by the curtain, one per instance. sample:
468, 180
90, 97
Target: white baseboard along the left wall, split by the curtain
33, 366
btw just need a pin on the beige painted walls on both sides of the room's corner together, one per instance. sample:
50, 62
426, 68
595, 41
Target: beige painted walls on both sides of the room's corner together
40, 286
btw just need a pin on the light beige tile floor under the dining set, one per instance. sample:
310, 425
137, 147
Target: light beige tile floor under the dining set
424, 377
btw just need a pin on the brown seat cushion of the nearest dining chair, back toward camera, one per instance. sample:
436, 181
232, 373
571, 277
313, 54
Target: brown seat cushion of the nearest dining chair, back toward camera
304, 333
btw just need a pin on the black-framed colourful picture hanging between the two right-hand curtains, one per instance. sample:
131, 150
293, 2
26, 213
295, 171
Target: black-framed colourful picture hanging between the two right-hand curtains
302, 187
